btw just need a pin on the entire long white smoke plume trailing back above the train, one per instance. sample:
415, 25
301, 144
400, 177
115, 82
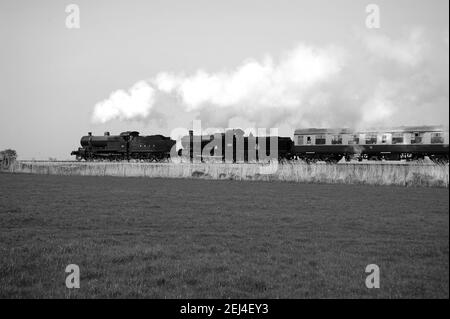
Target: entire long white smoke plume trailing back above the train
381, 81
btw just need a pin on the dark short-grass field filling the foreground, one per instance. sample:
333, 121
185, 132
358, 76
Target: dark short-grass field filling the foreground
189, 238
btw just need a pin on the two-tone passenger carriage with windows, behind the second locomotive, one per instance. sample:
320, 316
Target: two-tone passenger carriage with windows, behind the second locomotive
406, 142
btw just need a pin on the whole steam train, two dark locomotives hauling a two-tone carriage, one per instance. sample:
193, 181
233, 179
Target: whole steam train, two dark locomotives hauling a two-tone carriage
311, 145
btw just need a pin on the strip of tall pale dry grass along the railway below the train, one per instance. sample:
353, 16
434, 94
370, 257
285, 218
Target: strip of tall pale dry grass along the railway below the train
414, 174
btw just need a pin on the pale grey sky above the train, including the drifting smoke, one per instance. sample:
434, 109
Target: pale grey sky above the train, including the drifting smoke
153, 66
